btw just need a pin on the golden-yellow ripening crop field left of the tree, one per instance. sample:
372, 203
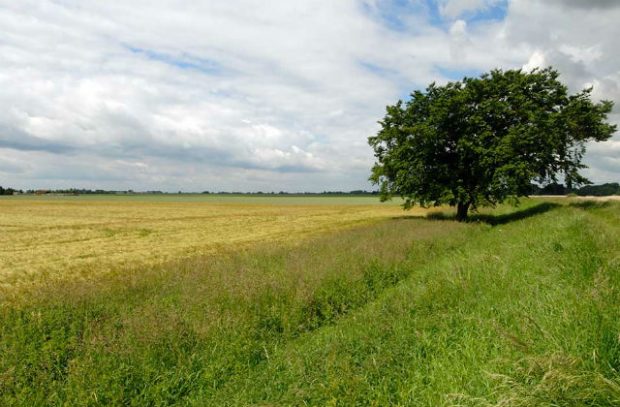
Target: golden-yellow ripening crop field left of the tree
78, 238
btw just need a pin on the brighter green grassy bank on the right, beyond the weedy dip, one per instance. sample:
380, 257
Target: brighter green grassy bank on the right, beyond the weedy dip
524, 315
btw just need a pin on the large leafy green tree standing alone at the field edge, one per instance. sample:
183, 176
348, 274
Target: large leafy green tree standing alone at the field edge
481, 140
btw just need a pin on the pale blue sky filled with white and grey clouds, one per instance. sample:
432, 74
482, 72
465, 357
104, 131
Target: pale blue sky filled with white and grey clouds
261, 95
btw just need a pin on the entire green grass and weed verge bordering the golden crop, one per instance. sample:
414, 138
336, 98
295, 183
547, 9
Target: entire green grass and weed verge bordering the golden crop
404, 312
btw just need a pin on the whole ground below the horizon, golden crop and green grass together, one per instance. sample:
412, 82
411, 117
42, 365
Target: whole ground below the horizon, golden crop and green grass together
307, 301
